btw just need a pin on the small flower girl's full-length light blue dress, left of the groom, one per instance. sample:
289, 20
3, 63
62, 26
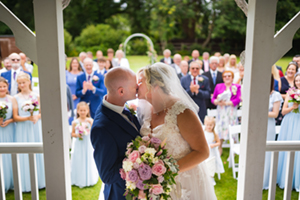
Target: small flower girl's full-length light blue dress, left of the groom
83, 168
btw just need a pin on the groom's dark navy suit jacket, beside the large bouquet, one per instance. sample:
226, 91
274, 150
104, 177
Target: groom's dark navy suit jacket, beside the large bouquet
109, 136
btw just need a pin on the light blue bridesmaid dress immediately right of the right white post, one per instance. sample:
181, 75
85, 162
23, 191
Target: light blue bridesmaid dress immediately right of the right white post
274, 97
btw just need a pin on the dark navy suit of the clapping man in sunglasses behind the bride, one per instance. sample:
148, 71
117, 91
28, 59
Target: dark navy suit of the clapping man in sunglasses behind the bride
203, 94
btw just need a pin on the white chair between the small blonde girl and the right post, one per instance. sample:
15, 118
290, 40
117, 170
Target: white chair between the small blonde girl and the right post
234, 132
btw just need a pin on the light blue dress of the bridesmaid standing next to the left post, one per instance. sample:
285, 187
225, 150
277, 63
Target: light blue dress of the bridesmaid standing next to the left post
26, 131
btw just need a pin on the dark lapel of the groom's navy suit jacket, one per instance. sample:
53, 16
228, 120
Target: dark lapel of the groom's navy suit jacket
120, 121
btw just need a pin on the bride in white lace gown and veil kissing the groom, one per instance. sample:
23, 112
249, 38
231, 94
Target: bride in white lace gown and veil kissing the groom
170, 113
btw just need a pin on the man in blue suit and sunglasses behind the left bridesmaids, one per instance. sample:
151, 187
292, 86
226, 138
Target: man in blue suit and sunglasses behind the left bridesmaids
11, 75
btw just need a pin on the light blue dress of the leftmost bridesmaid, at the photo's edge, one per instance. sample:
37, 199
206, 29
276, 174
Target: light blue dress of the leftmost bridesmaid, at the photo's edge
7, 135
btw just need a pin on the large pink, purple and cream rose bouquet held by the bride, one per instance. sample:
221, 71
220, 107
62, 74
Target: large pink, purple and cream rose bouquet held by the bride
147, 169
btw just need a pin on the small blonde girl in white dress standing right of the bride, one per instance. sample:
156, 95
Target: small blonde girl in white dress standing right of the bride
214, 142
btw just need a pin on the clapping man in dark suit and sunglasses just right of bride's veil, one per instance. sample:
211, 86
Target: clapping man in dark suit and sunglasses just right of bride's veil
197, 86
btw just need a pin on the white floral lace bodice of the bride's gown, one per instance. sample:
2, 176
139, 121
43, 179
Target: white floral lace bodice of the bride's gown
176, 145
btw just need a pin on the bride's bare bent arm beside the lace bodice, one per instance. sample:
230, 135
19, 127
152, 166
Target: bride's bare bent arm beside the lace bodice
191, 130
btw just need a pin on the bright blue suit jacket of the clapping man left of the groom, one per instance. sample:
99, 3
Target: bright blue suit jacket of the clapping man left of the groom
93, 99
